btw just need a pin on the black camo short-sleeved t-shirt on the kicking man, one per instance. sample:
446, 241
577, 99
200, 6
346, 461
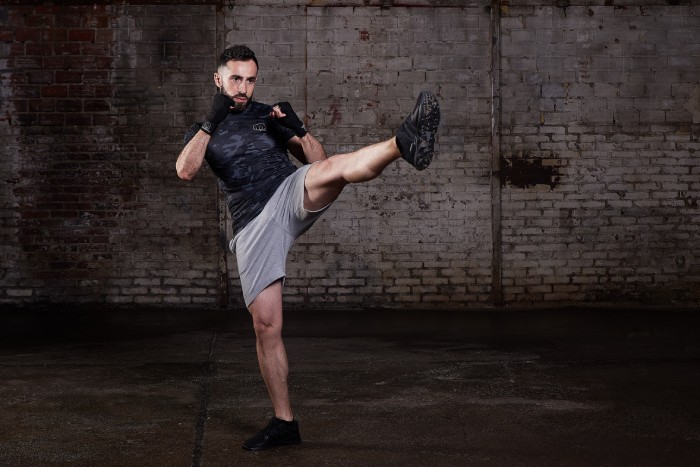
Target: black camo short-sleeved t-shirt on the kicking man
248, 155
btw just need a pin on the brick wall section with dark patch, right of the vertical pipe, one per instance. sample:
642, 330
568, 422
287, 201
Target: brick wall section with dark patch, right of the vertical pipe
600, 132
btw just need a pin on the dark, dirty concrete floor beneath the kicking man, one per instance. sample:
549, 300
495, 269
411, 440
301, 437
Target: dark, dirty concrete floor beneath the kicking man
562, 387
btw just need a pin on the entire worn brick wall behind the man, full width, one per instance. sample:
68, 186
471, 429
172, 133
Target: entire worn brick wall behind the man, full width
583, 192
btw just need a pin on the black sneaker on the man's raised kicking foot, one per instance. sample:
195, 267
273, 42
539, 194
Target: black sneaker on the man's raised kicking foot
416, 136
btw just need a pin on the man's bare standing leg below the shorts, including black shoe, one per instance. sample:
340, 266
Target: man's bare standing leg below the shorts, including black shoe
266, 311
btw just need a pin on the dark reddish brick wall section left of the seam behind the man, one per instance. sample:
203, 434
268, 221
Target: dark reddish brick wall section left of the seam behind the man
95, 99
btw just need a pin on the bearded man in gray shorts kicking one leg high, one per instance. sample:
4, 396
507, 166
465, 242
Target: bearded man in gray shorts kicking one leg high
245, 143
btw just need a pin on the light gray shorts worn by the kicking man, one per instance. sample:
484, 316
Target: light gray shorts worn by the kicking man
261, 247
